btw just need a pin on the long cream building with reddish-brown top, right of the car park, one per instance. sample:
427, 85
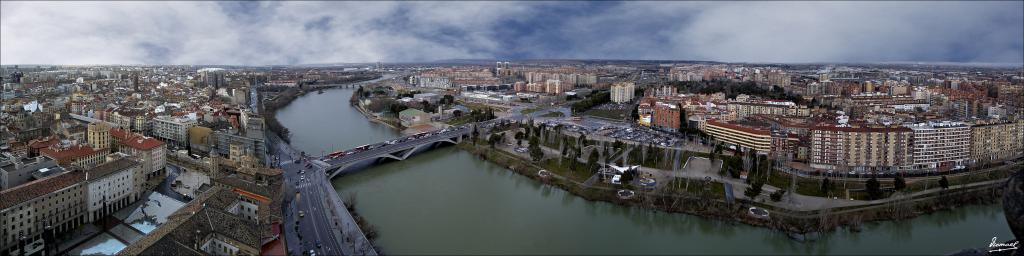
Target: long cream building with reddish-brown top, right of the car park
742, 137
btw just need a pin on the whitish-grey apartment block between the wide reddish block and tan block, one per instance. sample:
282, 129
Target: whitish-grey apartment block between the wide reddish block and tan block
941, 146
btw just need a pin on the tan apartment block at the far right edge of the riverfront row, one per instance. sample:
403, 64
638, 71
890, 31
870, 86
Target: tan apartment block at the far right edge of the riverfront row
998, 142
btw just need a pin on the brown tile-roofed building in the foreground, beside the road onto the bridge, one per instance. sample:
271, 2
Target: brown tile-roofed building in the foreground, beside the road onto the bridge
240, 216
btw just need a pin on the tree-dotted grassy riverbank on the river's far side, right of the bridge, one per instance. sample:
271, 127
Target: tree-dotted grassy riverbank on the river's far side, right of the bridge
806, 226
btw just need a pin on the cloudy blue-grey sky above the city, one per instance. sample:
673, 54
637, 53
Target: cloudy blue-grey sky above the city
287, 33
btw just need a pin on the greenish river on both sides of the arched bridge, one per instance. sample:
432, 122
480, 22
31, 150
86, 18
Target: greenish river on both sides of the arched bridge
448, 202
